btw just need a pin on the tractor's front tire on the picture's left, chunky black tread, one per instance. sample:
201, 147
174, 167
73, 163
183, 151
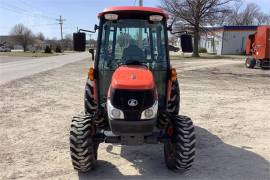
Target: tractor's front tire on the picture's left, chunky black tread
83, 148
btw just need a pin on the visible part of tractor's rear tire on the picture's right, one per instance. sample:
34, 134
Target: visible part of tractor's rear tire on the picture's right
174, 102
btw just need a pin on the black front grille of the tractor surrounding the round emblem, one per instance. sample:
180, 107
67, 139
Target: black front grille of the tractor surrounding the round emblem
120, 98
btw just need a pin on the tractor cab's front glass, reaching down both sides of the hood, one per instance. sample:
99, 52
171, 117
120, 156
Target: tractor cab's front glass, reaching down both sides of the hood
133, 41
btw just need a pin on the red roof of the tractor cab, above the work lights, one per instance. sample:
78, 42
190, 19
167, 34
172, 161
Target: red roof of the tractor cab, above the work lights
143, 9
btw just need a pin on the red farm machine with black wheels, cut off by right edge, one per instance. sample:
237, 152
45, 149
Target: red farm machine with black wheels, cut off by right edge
258, 48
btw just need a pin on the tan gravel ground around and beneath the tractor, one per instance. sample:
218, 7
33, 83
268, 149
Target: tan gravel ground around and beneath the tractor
228, 103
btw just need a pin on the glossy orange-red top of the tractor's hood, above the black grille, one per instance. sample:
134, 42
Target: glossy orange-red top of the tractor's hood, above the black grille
133, 77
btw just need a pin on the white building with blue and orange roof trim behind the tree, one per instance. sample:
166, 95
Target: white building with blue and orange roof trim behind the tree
226, 39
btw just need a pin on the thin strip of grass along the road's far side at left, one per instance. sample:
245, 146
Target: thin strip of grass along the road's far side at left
27, 54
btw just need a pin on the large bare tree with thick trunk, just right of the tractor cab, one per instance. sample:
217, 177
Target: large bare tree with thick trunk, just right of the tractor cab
196, 14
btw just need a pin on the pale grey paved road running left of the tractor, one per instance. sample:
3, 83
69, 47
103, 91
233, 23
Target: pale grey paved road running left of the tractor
18, 69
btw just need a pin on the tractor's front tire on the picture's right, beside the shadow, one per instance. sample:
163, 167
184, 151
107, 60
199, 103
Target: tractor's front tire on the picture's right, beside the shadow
179, 150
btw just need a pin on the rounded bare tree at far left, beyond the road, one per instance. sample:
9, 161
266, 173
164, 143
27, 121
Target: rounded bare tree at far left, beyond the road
22, 36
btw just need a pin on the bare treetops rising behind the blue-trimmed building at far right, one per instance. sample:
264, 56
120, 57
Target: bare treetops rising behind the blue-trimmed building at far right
250, 14
